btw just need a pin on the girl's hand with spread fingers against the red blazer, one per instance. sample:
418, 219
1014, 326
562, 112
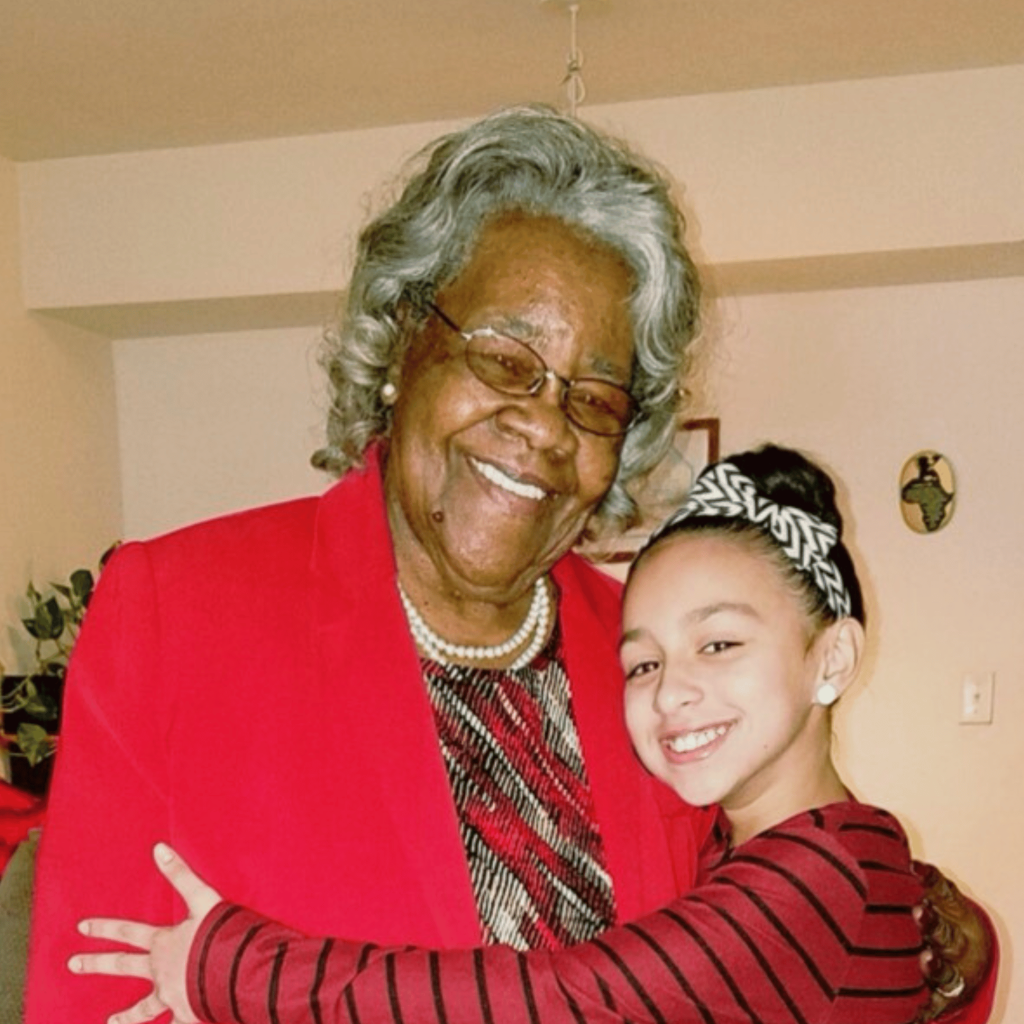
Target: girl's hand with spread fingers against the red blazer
165, 956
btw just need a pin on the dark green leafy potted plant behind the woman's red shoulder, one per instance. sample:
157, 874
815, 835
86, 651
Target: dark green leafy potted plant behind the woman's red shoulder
31, 704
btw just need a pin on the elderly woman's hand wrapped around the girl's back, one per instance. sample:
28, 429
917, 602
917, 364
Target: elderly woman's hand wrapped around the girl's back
958, 946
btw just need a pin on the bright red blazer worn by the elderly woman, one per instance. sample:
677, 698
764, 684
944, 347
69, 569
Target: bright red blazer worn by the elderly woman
247, 691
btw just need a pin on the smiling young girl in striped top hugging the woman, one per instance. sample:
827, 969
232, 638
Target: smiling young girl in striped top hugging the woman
743, 624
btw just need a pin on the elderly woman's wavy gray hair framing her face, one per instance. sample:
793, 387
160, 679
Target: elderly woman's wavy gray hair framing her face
535, 161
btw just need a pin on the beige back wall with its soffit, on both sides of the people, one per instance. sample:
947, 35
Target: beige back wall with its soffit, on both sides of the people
914, 187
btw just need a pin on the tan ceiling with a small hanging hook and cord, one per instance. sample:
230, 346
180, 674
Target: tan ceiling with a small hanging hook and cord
103, 76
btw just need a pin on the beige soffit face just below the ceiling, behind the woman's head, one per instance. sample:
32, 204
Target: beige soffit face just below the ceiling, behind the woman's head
926, 164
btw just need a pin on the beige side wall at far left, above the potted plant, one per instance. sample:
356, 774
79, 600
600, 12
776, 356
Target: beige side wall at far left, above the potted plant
60, 490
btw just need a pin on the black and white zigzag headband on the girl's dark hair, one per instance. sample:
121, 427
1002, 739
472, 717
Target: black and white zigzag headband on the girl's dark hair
723, 491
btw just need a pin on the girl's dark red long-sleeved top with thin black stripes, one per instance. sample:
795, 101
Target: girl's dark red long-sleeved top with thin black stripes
810, 922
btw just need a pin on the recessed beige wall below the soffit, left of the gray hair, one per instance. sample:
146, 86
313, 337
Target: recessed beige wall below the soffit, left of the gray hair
216, 423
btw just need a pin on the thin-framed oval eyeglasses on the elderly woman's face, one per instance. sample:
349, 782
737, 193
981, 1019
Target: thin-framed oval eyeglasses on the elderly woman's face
511, 367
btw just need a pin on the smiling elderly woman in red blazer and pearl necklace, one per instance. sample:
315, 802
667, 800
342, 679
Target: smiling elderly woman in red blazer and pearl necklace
395, 711
